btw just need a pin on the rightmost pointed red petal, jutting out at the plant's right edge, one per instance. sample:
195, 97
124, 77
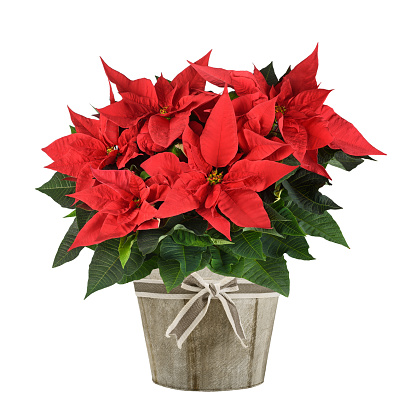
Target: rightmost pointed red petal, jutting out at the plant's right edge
346, 136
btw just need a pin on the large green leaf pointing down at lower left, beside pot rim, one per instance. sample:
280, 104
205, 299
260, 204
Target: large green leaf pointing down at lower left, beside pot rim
105, 268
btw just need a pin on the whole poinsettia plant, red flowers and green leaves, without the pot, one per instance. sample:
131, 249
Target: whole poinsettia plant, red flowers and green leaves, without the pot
178, 178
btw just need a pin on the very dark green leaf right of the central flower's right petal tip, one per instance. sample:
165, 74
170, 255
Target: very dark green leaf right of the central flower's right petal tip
303, 188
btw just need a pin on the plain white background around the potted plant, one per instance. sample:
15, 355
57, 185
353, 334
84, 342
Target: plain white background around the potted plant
343, 341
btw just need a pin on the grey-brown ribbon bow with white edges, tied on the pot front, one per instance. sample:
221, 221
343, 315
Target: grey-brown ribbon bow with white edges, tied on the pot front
194, 310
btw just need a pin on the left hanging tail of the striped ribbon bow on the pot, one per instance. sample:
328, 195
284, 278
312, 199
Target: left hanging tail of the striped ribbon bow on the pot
189, 317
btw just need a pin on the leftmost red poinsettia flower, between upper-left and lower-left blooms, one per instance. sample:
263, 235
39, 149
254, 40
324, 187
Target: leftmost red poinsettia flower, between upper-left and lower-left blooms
95, 144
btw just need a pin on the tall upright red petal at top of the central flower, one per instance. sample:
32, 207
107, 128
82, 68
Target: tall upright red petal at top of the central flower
219, 140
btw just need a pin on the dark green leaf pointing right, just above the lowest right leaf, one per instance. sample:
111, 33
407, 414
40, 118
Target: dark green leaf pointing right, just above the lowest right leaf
294, 246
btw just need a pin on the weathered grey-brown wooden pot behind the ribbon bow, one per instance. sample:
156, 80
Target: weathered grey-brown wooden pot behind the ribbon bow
212, 357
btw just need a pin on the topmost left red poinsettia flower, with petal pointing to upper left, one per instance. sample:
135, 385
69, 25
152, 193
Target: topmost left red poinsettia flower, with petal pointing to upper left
166, 105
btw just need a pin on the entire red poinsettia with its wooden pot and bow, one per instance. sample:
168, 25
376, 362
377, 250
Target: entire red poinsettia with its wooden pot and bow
196, 197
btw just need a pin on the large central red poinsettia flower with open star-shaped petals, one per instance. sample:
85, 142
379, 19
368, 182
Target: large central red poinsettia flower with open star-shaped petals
204, 185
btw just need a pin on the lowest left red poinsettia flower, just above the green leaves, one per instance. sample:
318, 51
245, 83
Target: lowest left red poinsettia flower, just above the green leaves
124, 203
